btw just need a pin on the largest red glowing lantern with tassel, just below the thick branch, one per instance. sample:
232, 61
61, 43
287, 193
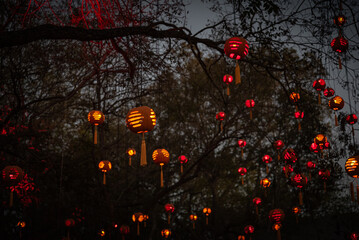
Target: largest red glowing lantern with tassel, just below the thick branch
236, 48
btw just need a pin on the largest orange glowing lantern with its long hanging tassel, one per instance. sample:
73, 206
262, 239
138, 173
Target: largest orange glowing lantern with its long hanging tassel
141, 120
